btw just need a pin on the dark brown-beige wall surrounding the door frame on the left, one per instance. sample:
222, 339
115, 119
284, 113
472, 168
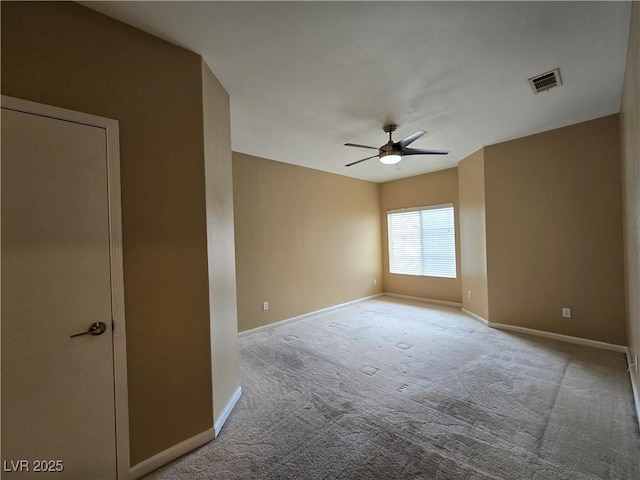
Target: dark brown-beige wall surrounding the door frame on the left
66, 55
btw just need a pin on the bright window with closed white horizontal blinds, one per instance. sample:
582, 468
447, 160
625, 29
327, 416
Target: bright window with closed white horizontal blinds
422, 241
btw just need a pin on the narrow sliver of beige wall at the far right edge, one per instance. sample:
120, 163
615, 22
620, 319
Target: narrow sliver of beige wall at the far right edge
630, 133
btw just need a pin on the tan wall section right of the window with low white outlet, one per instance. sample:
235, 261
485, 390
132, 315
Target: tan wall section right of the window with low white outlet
554, 231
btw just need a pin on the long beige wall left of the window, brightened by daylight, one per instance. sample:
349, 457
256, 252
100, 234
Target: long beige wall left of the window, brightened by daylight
305, 239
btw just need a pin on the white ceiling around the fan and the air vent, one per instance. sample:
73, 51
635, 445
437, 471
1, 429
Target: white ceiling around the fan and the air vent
306, 77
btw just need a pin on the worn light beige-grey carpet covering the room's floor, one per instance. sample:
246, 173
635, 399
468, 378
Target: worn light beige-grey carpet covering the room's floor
389, 389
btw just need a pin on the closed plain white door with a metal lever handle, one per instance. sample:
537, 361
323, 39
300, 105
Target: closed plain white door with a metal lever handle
58, 419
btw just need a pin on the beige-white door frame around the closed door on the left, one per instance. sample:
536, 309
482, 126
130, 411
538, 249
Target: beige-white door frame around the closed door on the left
111, 129
